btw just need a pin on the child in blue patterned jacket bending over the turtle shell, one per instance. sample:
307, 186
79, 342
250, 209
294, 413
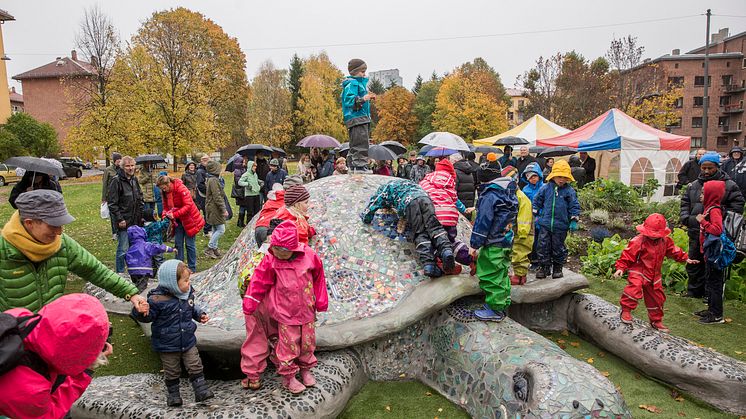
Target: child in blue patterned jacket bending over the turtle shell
413, 205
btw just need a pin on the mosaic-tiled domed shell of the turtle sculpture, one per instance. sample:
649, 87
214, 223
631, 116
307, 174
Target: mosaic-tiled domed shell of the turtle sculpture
370, 268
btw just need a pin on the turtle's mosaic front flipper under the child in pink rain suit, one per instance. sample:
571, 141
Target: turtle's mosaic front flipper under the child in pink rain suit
339, 376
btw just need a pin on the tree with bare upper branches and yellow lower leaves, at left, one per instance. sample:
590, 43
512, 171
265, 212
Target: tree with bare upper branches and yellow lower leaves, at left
98, 124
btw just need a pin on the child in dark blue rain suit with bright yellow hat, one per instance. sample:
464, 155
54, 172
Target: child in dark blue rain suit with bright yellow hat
557, 209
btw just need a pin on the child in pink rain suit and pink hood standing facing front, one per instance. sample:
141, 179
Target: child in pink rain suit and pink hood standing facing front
291, 276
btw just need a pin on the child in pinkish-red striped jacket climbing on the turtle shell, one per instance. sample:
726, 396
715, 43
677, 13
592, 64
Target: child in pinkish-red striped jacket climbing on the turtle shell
440, 186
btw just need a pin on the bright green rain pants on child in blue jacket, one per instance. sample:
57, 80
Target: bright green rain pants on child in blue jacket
492, 270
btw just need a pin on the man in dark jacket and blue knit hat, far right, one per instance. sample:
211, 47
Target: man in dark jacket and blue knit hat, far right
691, 206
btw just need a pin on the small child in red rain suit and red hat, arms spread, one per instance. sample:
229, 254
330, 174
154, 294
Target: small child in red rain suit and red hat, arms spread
643, 258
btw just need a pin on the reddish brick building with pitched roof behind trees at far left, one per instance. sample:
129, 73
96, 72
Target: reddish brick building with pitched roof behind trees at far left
50, 91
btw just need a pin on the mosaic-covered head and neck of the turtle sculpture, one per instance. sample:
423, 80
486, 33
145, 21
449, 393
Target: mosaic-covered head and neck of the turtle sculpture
476, 365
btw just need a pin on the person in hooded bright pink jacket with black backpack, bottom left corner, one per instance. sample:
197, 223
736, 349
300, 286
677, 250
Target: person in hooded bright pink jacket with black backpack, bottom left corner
47, 360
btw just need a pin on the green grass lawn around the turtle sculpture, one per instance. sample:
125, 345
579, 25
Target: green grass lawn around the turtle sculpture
413, 399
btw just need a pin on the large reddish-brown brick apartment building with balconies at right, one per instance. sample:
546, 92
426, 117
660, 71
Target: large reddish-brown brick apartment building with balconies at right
726, 87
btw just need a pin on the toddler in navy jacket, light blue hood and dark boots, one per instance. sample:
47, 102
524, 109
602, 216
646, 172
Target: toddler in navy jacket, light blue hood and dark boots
173, 313
